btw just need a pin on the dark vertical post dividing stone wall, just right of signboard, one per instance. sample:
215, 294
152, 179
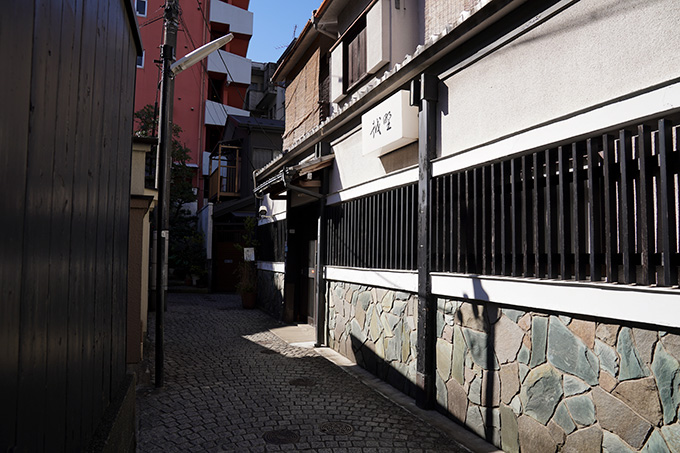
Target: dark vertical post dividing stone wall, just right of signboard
424, 94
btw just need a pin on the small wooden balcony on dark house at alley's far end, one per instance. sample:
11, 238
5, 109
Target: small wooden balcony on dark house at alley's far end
225, 164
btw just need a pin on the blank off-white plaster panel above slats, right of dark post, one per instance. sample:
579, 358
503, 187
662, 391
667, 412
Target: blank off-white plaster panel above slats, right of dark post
590, 54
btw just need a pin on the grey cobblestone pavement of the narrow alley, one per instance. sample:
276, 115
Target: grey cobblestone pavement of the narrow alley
232, 385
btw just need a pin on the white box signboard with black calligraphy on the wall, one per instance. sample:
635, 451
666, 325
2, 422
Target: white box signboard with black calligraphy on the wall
390, 125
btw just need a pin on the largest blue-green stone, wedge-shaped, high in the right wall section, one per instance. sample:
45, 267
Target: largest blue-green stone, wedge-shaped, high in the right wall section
568, 353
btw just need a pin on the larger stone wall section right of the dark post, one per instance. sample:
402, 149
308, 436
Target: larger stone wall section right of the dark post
557, 383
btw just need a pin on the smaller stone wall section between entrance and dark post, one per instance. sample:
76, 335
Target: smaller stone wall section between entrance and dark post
376, 328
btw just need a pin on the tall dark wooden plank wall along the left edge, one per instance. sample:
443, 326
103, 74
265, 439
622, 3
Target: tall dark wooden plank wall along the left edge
65, 148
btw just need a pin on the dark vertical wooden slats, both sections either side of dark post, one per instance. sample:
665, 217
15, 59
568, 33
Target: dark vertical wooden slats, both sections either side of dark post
603, 208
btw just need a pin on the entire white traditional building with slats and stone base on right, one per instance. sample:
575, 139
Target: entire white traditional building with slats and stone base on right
487, 216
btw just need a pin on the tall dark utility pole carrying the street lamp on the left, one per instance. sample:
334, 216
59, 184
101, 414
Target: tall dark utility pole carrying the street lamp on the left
165, 162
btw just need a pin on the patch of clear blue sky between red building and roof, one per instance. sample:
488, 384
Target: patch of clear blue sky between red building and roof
273, 24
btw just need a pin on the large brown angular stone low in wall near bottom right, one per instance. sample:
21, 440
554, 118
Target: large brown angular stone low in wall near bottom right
615, 416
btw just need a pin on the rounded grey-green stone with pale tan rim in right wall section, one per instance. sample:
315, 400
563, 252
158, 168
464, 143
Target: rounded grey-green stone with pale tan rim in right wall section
541, 392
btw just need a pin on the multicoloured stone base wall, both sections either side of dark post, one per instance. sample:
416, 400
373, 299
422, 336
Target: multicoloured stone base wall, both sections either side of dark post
545, 383
